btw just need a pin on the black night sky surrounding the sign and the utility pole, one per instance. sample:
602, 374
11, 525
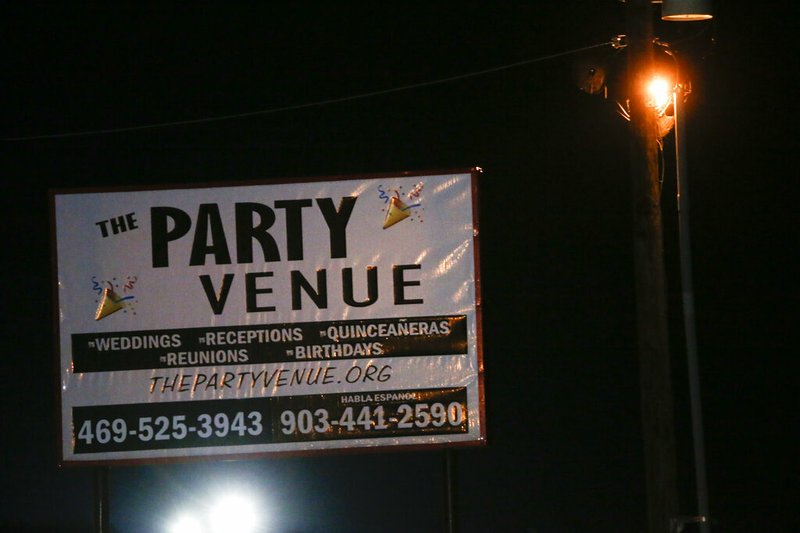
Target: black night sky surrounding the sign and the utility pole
564, 451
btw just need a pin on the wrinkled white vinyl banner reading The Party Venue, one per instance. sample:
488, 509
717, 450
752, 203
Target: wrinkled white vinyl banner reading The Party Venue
268, 318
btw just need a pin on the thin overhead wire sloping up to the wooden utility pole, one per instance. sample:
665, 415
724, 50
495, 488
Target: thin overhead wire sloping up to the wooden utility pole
318, 103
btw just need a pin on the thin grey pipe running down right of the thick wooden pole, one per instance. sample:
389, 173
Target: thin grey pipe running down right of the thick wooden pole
687, 290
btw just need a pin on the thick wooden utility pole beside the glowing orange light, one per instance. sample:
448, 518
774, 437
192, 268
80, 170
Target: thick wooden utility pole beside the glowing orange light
651, 302
